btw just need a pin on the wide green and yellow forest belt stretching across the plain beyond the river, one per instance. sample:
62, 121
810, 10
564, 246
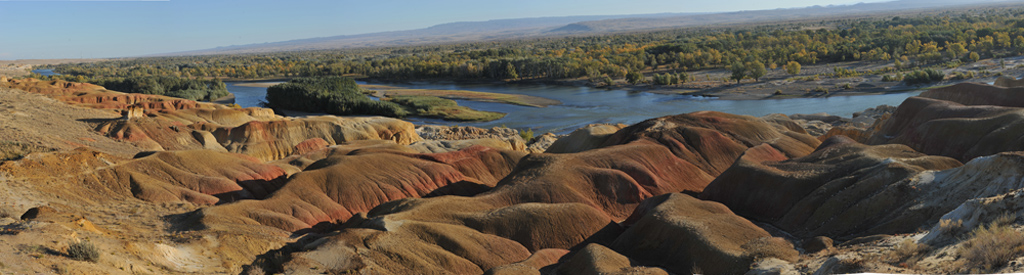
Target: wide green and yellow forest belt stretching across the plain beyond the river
914, 42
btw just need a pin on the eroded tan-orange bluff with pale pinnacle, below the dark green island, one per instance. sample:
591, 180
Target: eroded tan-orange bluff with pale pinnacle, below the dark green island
266, 141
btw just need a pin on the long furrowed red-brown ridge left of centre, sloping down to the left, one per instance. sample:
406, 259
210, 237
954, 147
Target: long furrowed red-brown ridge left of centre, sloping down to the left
350, 181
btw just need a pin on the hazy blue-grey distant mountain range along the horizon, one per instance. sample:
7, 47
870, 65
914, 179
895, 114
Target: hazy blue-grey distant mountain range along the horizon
558, 27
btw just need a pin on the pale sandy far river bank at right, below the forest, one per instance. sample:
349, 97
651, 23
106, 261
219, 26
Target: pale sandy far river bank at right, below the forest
814, 81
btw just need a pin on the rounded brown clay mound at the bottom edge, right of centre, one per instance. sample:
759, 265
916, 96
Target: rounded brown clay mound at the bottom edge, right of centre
684, 234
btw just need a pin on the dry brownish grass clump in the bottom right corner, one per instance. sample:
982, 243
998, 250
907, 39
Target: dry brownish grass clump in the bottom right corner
993, 247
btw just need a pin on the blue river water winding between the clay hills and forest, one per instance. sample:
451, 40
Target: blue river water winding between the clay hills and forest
583, 106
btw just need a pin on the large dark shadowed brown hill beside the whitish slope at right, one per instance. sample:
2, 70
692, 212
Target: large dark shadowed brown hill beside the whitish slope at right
843, 190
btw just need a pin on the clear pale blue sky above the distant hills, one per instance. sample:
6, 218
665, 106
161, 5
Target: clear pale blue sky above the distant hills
64, 29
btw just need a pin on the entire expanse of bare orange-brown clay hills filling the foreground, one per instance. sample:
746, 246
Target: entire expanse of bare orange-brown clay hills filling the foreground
102, 182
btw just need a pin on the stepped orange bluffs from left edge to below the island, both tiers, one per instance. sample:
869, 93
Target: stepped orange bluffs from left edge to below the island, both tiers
160, 123
